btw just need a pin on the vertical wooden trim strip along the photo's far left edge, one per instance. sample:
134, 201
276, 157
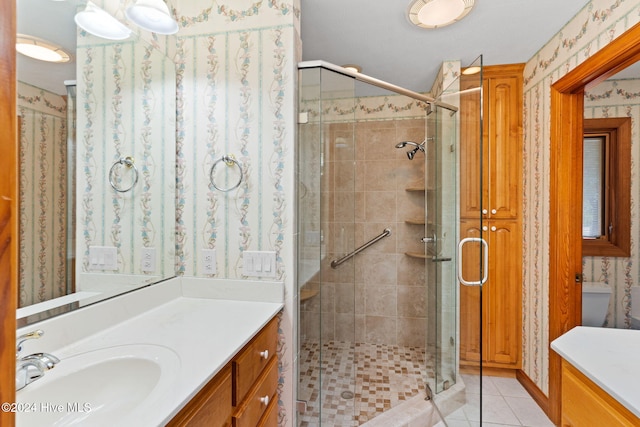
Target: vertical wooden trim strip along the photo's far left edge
8, 207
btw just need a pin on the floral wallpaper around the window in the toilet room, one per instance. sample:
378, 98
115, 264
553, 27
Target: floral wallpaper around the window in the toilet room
618, 98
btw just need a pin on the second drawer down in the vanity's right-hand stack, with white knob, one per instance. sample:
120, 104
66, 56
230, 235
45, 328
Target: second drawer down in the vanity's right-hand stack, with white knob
249, 413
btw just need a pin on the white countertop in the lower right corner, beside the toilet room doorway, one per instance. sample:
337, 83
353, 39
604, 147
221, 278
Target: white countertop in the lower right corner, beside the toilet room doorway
609, 357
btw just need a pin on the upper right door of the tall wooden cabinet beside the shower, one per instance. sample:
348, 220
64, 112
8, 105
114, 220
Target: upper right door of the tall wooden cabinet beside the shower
503, 118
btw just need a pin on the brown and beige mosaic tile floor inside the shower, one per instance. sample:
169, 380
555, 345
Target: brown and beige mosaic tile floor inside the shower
359, 381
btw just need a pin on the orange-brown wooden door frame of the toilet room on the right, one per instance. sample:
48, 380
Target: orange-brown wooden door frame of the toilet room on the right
565, 230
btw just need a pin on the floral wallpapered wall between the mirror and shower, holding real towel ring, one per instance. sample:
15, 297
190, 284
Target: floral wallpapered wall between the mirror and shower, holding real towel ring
236, 81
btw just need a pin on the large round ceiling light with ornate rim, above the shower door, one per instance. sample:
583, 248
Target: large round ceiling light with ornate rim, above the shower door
438, 13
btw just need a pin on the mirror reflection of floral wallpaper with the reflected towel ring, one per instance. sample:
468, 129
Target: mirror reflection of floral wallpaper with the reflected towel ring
125, 108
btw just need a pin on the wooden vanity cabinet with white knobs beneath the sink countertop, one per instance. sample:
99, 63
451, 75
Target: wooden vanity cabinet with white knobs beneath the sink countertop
243, 393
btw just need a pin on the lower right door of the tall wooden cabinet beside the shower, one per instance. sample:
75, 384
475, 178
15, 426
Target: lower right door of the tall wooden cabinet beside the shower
503, 294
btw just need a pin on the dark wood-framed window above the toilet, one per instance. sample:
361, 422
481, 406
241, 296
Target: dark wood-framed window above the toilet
606, 224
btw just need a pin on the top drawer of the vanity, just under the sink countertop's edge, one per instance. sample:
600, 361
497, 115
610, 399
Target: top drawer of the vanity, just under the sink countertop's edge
250, 362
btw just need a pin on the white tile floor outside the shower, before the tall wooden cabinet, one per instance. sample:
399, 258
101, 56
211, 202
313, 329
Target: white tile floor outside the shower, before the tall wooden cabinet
505, 403
